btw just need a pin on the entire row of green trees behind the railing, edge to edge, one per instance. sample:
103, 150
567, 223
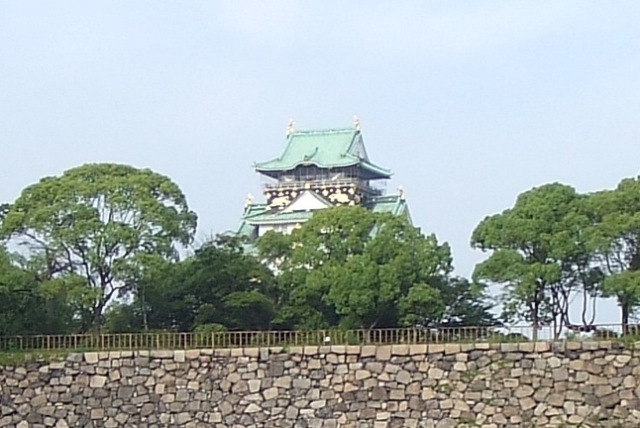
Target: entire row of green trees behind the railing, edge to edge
97, 249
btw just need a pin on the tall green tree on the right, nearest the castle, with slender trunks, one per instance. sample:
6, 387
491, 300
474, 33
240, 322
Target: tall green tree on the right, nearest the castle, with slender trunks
538, 254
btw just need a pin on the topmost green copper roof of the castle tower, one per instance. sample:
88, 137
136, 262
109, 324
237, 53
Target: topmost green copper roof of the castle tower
332, 148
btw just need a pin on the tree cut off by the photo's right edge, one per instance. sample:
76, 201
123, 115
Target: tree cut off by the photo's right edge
615, 237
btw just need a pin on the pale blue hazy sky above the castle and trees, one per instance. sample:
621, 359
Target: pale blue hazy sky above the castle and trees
468, 102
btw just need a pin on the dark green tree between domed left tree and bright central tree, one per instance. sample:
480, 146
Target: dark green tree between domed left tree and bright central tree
219, 285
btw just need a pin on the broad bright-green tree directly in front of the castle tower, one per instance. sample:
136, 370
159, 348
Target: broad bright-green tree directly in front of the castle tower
359, 268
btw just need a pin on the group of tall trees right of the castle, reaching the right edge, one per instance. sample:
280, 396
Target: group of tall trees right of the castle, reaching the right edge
556, 244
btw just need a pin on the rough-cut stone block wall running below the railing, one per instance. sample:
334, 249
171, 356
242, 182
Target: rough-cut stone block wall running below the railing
591, 384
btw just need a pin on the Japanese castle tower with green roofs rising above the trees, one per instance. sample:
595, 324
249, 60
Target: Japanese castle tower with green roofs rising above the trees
318, 169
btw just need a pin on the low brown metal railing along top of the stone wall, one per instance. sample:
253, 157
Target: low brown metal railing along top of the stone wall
235, 339
